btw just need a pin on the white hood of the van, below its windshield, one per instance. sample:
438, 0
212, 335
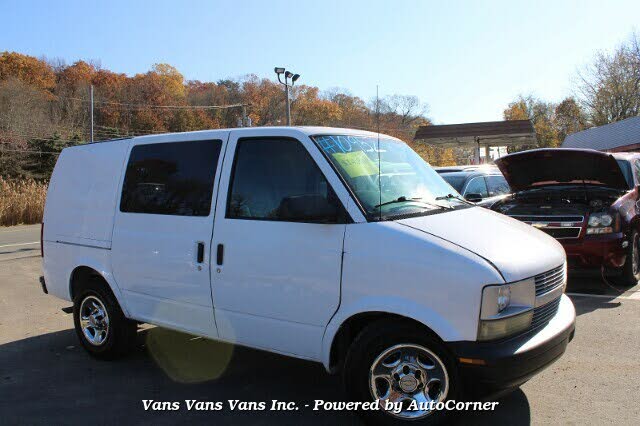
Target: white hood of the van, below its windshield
515, 249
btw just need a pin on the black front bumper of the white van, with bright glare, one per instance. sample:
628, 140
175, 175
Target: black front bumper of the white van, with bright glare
510, 363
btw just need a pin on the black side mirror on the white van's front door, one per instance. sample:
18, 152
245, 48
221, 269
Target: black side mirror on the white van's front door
308, 208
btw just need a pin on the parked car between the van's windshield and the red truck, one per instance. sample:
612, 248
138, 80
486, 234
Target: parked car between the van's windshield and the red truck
483, 185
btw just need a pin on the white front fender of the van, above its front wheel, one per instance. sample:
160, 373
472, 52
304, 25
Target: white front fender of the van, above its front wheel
439, 283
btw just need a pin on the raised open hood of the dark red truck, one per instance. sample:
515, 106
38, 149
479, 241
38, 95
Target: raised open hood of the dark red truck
540, 167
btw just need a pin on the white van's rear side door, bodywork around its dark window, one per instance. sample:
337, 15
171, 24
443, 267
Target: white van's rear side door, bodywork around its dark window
154, 256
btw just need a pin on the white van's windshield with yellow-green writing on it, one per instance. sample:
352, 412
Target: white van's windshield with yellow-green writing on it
401, 184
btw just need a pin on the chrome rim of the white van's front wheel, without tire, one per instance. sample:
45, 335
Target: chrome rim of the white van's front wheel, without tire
410, 376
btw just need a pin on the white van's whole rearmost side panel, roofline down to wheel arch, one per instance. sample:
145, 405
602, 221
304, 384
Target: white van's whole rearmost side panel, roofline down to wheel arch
78, 214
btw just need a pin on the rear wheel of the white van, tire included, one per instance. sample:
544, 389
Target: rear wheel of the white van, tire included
101, 326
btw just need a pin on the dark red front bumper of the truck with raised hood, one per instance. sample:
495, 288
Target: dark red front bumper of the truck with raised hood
595, 251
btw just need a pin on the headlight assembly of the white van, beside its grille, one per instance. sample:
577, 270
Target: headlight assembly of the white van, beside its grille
506, 309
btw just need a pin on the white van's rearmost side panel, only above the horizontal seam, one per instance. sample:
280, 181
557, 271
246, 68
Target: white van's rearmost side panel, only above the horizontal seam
83, 192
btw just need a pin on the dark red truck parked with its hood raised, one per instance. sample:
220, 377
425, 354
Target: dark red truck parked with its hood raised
587, 200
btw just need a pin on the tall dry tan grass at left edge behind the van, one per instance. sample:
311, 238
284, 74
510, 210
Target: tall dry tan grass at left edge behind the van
21, 202
